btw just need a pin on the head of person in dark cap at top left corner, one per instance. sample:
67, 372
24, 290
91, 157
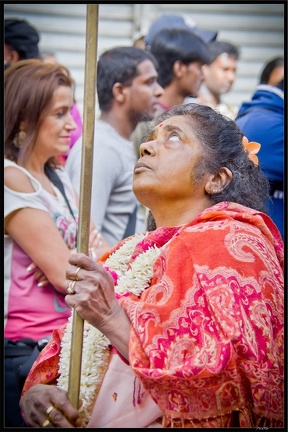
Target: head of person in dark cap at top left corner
20, 41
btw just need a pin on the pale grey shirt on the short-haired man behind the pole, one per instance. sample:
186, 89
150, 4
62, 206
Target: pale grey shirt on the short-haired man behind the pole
112, 198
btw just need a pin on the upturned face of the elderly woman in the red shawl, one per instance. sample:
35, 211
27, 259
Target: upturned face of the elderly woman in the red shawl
166, 168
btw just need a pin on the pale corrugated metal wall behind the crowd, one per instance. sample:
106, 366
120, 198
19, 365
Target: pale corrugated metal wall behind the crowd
257, 29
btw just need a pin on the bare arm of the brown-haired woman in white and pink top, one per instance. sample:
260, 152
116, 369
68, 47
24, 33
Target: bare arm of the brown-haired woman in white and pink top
37, 234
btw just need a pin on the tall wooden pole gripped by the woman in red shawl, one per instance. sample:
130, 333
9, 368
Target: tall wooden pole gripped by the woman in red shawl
85, 188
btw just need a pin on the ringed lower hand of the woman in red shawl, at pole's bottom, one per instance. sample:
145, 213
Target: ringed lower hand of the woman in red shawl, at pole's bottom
48, 406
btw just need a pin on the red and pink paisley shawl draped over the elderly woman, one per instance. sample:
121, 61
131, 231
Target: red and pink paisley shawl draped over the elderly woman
207, 336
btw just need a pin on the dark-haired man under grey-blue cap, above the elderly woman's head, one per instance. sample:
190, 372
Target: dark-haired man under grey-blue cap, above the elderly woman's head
181, 49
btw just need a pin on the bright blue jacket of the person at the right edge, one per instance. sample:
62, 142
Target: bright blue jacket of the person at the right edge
262, 120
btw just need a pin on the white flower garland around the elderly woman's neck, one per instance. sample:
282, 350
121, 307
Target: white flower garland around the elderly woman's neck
95, 351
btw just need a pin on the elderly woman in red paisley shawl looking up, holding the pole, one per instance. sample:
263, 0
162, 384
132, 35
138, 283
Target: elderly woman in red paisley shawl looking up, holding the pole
183, 324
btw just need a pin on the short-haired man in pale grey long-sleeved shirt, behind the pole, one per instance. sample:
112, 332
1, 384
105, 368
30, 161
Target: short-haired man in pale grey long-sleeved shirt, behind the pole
127, 89
